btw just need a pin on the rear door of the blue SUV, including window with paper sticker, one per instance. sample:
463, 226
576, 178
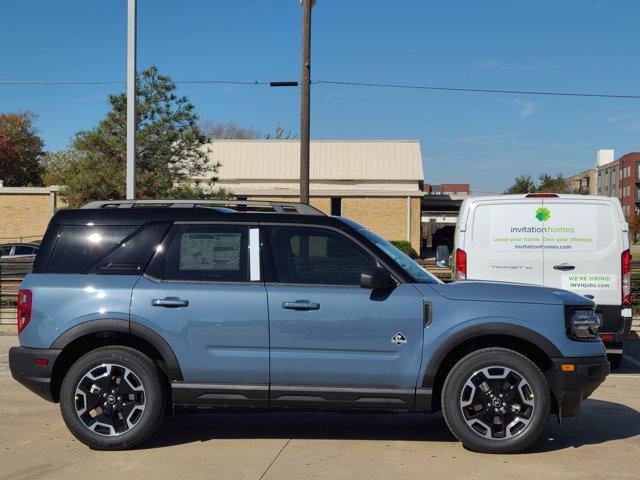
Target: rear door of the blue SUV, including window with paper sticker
205, 298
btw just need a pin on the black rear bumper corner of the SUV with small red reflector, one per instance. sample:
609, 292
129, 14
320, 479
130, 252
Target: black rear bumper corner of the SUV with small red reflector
37, 378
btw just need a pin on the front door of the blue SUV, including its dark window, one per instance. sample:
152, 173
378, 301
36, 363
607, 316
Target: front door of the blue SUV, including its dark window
332, 342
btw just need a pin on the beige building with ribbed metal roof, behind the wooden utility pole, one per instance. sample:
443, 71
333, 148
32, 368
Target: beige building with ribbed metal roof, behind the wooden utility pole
376, 183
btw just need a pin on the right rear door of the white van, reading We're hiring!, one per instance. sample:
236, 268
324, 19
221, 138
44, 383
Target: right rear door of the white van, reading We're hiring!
583, 247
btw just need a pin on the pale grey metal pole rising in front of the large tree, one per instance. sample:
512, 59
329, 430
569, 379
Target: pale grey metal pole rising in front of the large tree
131, 100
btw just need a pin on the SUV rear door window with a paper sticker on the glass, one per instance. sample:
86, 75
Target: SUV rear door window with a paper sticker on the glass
208, 253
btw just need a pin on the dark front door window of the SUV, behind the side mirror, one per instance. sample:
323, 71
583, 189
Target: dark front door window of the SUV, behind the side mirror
317, 256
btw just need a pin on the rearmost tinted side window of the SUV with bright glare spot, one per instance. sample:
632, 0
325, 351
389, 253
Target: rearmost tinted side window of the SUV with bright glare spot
79, 247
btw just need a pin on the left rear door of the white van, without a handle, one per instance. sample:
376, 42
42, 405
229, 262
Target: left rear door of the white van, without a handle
503, 241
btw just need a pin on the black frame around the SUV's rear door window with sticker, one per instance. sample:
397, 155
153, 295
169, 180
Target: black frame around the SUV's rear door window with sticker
152, 271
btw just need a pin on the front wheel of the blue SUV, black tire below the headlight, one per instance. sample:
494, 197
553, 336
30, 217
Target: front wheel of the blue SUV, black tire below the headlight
471, 436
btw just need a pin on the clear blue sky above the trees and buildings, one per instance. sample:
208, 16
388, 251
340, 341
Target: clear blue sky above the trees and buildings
486, 140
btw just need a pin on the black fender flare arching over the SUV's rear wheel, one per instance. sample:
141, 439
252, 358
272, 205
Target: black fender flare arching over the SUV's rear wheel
172, 370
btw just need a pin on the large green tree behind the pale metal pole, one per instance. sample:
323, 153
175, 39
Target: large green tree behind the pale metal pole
171, 149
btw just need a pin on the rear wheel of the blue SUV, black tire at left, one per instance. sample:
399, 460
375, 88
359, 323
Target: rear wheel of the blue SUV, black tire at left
143, 375
